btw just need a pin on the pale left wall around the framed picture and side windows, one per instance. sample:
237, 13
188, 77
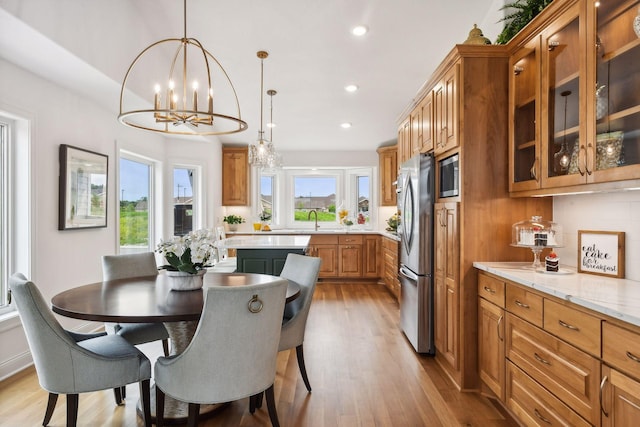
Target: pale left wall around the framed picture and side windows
64, 259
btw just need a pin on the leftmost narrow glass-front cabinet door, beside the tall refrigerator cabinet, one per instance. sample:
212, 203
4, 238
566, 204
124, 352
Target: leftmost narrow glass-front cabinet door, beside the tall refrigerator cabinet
524, 144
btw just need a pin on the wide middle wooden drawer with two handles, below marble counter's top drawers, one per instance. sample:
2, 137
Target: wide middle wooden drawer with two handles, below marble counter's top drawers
570, 374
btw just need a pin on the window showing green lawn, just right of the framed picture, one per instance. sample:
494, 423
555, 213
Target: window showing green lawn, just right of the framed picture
136, 204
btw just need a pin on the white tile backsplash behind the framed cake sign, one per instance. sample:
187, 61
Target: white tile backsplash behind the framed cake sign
619, 211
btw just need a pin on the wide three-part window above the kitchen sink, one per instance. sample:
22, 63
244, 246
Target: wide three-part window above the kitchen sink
293, 193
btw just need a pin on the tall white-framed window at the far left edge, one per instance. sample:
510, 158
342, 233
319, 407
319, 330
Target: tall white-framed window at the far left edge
15, 196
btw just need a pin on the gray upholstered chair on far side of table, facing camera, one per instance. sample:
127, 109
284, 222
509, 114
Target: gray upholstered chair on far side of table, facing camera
134, 265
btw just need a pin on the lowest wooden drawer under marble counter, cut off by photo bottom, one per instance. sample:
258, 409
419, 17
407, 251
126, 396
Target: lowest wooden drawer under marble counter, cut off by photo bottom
535, 406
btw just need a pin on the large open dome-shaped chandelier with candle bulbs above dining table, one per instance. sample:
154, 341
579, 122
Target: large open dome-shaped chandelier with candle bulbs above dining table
184, 104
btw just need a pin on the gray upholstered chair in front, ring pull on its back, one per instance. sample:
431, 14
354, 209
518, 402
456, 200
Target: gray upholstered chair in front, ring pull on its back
232, 354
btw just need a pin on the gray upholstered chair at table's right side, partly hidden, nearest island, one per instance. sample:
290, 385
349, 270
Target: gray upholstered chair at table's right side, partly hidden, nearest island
303, 270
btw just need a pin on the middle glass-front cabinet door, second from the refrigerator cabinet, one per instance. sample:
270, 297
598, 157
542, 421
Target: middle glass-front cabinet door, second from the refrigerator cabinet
563, 65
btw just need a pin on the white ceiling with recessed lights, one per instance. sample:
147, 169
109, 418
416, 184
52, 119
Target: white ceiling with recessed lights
312, 54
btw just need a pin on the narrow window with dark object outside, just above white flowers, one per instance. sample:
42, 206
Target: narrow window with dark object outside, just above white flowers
183, 200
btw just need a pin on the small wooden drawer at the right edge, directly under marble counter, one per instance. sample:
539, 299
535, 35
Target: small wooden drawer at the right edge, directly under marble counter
621, 348
